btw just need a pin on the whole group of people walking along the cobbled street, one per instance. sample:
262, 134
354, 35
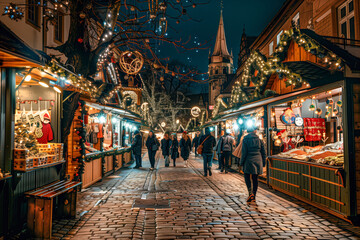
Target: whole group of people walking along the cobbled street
249, 150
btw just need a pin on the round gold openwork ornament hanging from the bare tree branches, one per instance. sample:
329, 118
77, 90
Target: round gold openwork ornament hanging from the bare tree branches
131, 62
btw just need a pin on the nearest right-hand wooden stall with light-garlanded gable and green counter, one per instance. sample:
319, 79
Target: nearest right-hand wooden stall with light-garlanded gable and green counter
311, 126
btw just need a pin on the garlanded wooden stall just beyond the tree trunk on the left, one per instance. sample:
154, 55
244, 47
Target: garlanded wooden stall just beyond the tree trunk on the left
99, 141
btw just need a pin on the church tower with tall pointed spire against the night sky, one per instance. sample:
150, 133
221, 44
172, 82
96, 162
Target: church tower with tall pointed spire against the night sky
220, 64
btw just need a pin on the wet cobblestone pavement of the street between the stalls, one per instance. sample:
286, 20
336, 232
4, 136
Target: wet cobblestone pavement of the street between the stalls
200, 208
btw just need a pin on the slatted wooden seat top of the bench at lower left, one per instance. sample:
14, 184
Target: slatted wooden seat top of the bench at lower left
53, 189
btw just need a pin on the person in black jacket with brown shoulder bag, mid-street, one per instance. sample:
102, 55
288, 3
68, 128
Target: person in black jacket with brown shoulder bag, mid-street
207, 142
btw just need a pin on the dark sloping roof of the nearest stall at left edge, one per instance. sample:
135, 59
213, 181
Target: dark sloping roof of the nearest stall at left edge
14, 52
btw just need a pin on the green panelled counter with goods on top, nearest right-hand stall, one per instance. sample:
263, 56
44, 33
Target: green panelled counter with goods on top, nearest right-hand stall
314, 175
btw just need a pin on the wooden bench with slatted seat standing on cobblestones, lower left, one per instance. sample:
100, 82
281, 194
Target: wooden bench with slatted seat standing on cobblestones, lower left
40, 208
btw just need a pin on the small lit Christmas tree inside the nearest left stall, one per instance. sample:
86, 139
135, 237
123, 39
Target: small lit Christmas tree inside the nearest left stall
24, 139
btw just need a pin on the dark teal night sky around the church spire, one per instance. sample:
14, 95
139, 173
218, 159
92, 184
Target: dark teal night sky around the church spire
255, 14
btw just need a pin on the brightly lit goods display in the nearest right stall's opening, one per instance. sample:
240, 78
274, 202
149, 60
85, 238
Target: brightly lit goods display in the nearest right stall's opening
299, 132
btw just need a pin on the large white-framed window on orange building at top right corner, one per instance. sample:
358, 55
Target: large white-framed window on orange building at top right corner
346, 20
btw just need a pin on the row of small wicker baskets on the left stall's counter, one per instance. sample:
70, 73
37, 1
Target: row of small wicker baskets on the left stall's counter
50, 154
